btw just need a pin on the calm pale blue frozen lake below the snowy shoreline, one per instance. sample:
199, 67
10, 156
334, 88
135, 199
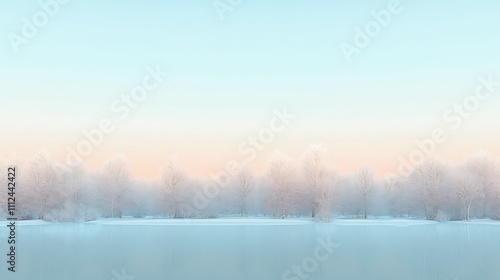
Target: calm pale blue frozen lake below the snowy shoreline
218, 249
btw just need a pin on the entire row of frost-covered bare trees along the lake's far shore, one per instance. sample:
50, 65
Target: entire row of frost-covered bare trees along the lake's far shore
306, 187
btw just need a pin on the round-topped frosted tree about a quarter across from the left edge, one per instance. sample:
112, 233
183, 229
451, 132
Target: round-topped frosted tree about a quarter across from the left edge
115, 178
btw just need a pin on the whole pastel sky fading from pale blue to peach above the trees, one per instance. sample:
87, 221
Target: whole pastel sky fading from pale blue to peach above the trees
227, 77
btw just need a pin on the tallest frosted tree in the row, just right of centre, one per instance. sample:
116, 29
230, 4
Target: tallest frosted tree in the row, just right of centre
314, 173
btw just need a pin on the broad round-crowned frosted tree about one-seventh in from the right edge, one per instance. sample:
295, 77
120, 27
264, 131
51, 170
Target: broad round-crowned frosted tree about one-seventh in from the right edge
429, 183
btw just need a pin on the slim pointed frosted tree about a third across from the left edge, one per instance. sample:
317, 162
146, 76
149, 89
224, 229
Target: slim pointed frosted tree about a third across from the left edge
172, 179
